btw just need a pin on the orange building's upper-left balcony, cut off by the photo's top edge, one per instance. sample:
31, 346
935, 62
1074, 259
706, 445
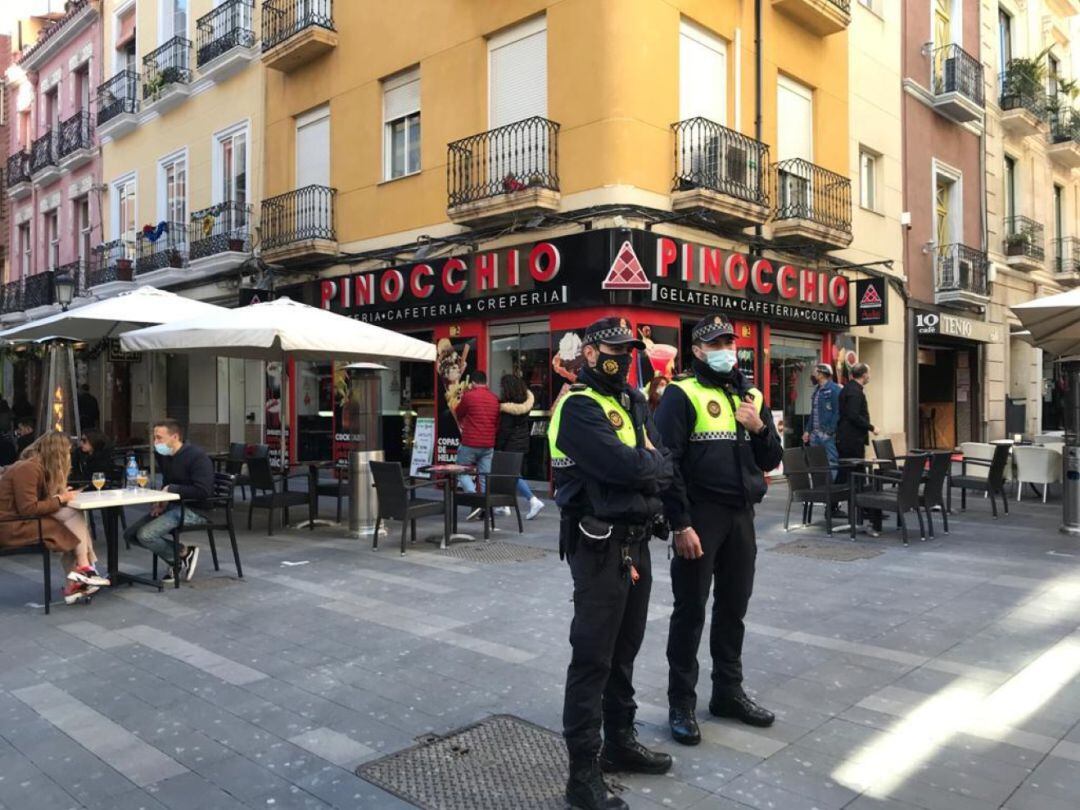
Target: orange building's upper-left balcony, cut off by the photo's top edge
295, 33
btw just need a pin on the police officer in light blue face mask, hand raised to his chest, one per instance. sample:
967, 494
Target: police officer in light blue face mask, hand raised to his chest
722, 440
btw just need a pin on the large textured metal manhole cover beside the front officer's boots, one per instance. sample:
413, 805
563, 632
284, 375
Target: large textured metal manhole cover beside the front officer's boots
503, 763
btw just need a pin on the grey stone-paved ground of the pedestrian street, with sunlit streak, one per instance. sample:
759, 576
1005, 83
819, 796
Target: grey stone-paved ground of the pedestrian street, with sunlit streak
942, 676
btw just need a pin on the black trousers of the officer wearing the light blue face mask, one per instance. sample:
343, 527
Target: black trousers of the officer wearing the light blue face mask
731, 550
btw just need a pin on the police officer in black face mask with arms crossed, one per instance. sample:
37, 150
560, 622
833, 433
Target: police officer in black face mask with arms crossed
609, 472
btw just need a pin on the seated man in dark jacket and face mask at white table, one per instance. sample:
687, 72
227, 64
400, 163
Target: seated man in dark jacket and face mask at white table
187, 471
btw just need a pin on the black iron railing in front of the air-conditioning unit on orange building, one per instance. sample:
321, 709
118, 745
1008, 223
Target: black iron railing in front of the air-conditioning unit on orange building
713, 157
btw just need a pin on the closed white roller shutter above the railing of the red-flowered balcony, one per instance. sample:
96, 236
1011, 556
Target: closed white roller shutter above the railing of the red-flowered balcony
519, 75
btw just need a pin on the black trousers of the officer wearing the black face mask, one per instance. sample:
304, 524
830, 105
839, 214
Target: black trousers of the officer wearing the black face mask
610, 616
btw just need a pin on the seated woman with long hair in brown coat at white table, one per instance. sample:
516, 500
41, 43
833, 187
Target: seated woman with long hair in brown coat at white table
36, 487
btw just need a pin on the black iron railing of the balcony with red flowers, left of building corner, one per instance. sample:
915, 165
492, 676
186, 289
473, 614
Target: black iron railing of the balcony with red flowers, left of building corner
520, 156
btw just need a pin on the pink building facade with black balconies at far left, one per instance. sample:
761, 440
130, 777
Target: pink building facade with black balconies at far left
53, 168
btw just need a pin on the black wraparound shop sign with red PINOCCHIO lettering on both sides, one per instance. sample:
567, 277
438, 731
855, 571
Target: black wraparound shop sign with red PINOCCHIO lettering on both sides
589, 269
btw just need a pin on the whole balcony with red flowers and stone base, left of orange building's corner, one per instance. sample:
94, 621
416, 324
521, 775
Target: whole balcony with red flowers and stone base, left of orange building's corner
505, 173
